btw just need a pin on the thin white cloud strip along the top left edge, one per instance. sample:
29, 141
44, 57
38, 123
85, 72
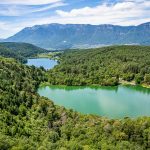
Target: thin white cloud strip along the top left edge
29, 2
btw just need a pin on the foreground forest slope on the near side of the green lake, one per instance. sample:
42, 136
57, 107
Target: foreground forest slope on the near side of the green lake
31, 122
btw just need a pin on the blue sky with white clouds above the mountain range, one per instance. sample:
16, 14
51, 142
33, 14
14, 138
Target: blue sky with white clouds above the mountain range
18, 14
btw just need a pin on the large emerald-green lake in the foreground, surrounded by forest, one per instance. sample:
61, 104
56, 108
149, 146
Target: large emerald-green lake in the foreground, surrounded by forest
112, 102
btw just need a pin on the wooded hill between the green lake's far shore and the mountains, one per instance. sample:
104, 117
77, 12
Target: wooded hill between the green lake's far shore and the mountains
103, 66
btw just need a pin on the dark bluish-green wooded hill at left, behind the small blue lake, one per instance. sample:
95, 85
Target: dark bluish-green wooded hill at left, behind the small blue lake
19, 51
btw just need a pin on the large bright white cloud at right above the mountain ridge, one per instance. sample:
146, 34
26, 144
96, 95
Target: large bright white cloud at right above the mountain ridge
119, 13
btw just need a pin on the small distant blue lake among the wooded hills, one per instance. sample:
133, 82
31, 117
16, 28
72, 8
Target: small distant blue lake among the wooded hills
44, 62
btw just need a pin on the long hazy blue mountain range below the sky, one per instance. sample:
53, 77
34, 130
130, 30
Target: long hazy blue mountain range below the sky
59, 36
